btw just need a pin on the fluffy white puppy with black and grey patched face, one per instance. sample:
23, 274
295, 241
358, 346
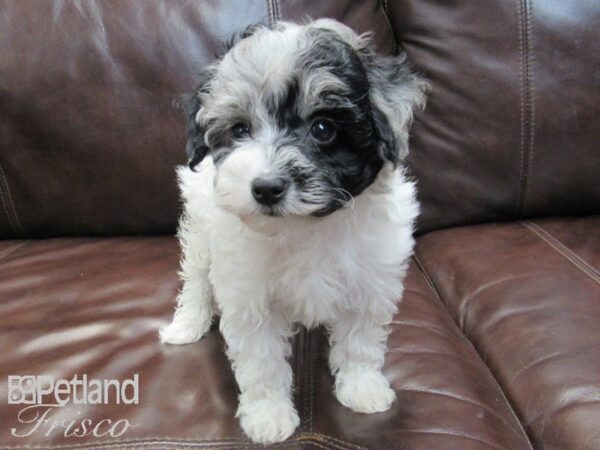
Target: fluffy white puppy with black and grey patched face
297, 211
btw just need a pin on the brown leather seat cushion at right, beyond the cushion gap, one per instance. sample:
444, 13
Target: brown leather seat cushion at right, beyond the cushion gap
528, 296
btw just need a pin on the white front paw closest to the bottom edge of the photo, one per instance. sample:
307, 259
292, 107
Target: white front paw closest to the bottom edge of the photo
267, 420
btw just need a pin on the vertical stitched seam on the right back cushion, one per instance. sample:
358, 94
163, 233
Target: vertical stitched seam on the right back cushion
527, 108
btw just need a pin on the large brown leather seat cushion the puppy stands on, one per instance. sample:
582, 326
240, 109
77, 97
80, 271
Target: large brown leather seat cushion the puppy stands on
94, 306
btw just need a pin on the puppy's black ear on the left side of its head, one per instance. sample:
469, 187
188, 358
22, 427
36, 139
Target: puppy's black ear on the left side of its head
196, 148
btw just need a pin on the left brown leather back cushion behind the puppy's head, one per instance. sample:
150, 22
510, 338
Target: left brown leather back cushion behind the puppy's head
90, 123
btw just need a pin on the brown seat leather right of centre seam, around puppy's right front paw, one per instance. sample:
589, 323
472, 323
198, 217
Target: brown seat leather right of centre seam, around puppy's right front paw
446, 397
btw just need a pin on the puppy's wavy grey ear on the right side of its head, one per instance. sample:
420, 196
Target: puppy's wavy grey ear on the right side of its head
395, 92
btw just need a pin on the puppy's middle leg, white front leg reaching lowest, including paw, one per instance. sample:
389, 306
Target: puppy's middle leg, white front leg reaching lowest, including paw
258, 346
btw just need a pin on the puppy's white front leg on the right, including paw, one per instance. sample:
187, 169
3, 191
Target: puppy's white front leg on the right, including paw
358, 344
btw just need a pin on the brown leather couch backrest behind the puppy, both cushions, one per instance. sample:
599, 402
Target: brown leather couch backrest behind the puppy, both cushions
91, 129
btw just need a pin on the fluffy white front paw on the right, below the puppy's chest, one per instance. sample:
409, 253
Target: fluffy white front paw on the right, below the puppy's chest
364, 390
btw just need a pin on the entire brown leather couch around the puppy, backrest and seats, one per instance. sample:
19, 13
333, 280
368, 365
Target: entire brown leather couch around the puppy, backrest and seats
497, 342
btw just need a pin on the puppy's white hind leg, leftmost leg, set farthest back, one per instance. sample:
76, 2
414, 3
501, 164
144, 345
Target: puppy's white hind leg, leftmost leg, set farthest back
195, 304
